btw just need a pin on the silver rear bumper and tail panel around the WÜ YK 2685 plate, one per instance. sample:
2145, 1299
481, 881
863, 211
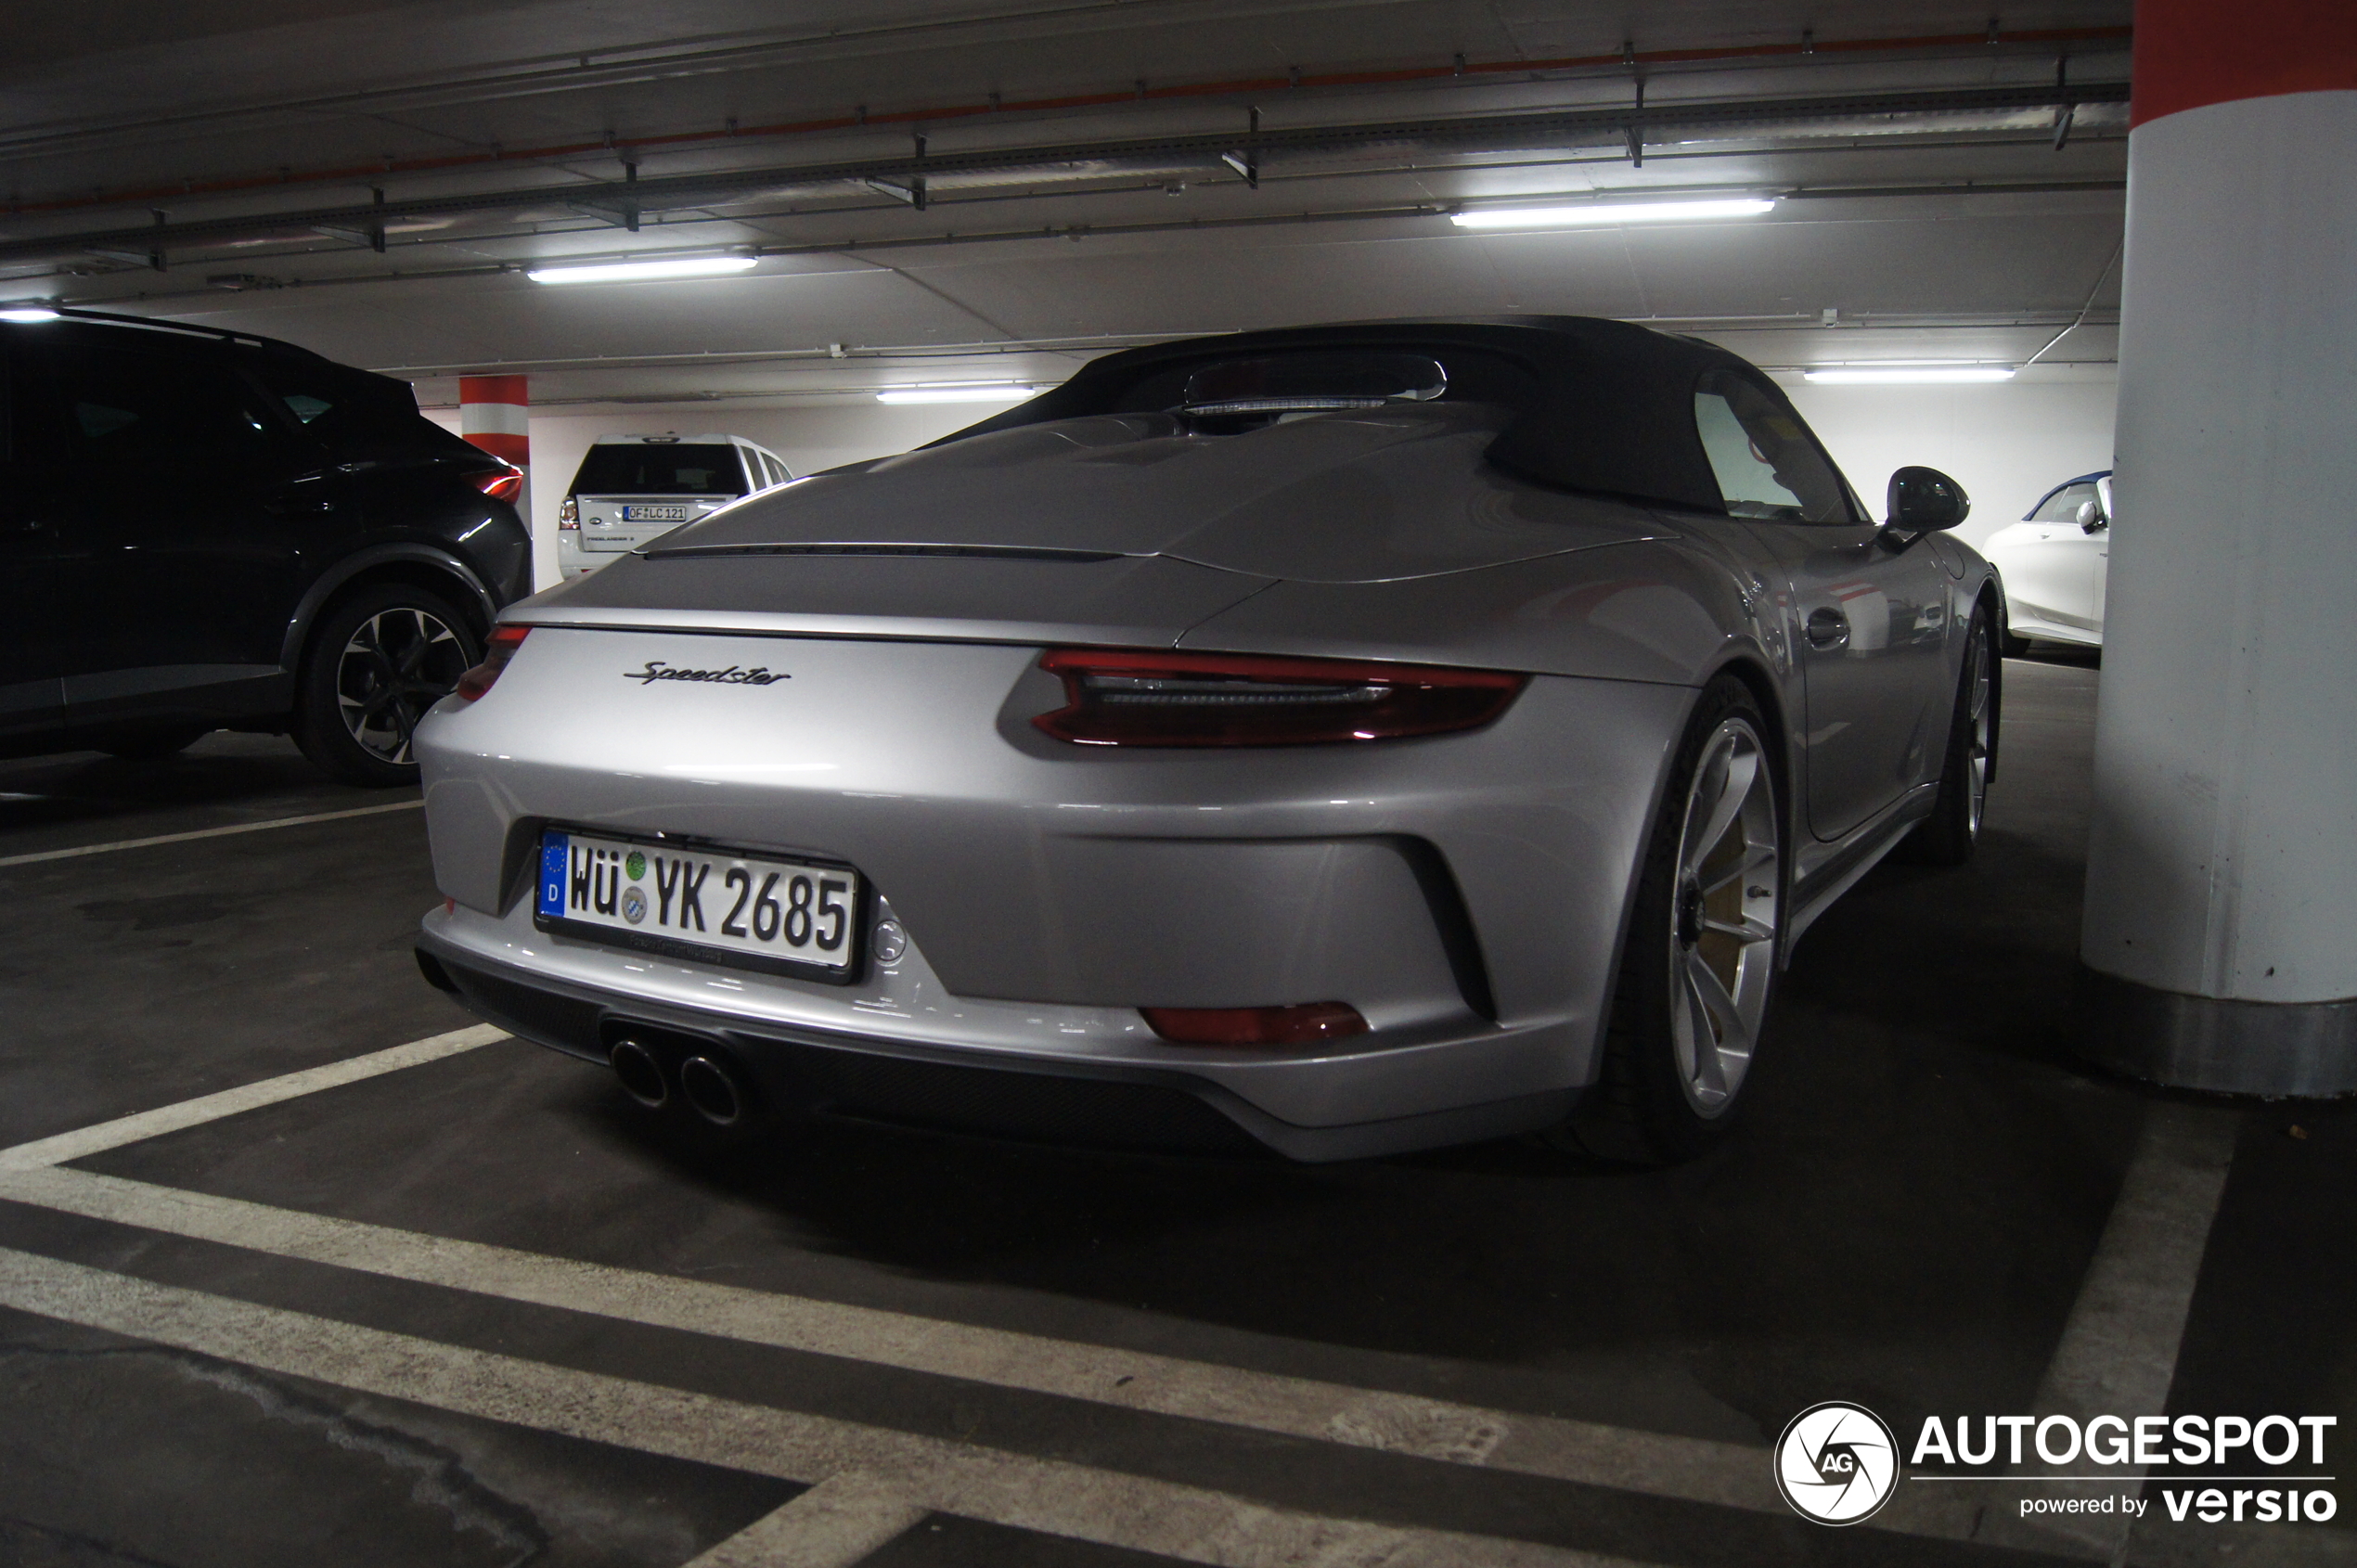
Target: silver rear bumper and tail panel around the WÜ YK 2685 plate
1463, 892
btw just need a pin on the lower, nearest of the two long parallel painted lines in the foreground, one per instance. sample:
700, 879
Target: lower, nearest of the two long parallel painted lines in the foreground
1048, 1496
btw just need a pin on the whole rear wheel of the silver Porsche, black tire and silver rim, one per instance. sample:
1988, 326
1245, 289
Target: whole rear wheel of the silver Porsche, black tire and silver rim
1698, 968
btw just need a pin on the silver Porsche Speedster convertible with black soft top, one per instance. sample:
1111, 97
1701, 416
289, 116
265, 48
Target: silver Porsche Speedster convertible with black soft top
1340, 742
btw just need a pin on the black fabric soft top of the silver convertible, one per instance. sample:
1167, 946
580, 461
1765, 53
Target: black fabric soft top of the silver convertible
1602, 407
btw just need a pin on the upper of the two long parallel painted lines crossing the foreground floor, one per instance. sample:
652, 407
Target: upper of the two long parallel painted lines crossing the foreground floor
1616, 1458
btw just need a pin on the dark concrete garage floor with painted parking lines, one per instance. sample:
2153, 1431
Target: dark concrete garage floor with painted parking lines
237, 1340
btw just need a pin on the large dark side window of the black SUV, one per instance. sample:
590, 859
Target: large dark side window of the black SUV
157, 411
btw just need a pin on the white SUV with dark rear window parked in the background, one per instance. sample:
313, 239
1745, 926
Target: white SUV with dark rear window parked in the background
633, 489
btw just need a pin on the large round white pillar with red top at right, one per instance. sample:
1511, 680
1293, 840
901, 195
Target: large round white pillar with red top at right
2224, 857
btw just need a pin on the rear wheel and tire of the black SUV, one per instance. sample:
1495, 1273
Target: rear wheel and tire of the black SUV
378, 661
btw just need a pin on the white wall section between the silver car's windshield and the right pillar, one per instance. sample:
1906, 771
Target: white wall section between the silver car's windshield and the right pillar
2005, 444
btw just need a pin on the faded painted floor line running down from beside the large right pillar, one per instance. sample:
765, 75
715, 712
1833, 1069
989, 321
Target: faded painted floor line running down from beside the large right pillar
2120, 1345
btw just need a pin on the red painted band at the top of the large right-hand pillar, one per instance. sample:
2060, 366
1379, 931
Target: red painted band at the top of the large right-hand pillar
2196, 53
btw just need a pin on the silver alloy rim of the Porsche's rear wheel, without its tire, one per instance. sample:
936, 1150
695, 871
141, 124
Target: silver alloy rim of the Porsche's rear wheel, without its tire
1722, 951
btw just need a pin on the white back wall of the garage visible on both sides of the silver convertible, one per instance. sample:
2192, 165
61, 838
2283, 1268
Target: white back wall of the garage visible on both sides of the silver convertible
2007, 444
